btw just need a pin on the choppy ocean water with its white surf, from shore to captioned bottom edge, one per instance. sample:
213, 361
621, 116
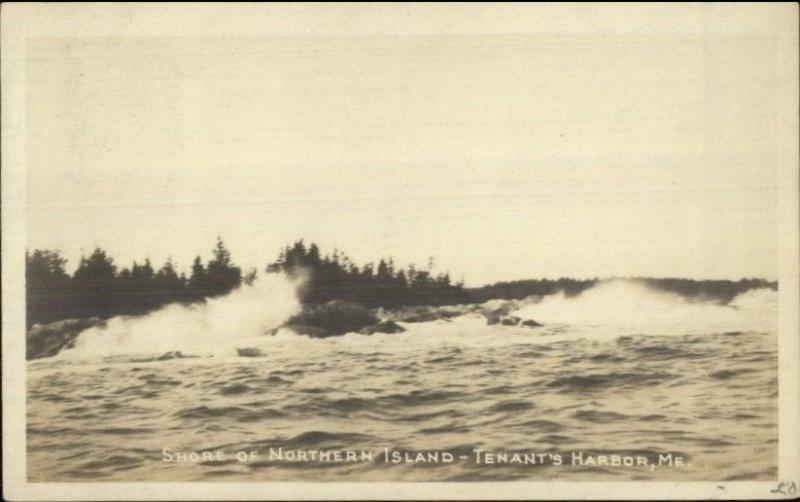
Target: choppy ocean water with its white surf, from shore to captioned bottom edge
617, 374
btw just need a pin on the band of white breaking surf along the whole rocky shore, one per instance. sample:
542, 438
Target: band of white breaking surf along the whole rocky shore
237, 324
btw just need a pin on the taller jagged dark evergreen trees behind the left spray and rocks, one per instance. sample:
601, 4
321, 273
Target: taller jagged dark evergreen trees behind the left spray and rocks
99, 288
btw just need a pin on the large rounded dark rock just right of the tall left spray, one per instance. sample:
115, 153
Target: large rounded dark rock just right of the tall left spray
331, 319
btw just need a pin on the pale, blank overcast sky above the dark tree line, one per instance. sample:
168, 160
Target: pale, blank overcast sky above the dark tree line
504, 157
